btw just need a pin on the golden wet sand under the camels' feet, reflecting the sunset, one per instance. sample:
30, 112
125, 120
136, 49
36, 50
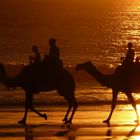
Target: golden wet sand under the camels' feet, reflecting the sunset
87, 124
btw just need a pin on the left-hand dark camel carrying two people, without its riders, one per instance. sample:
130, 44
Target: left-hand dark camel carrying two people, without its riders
30, 79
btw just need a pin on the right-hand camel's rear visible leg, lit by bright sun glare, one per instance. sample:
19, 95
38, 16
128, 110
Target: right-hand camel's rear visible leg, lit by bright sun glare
131, 100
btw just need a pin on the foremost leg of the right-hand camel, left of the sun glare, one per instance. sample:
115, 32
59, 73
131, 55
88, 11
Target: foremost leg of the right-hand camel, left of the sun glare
114, 99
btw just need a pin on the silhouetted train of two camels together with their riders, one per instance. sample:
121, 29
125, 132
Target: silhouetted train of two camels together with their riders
46, 76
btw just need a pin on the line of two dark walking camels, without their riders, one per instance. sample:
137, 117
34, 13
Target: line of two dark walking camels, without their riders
29, 80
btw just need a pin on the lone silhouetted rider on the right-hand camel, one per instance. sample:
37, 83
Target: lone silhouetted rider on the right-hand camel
129, 58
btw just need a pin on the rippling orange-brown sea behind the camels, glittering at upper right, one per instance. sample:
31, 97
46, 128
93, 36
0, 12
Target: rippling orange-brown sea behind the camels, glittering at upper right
96, 30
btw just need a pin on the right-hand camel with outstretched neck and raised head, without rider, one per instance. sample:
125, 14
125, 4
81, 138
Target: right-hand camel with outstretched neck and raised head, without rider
119, 81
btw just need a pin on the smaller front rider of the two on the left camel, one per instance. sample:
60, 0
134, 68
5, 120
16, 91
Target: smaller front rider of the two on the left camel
36, 59
